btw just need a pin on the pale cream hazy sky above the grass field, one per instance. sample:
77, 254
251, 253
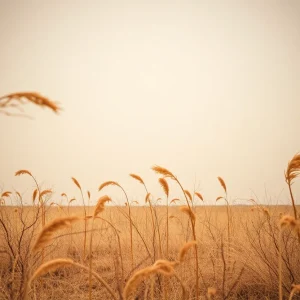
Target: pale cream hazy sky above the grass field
203, 88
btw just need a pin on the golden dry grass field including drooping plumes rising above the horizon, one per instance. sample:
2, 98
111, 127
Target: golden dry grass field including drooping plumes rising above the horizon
144, 252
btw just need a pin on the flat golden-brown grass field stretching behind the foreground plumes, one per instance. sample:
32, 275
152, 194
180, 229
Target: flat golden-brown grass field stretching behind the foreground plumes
239, 264
